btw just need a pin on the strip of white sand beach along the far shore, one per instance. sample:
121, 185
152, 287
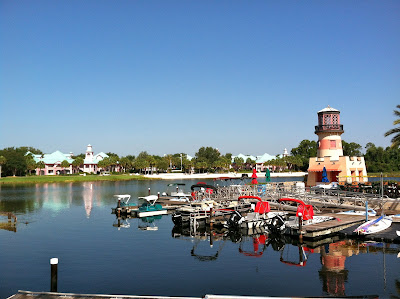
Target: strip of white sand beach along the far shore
182, 176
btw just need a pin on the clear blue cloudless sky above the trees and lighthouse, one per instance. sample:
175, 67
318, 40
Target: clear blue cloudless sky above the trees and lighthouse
172, 76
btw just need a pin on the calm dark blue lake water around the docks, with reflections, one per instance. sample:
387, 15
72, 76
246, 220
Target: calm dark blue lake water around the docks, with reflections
73, 222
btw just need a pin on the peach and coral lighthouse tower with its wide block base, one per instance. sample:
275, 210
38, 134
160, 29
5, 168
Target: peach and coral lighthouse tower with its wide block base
339, 168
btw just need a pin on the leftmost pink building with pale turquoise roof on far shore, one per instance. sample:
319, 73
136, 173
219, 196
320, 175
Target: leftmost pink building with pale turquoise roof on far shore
52, 163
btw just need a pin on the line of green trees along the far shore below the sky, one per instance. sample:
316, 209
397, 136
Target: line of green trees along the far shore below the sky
16, 161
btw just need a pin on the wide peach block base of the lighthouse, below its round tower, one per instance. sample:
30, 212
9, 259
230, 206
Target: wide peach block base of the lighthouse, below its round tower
342, 169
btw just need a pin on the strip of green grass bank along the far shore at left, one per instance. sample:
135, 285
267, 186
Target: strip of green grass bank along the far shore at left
69, 179
